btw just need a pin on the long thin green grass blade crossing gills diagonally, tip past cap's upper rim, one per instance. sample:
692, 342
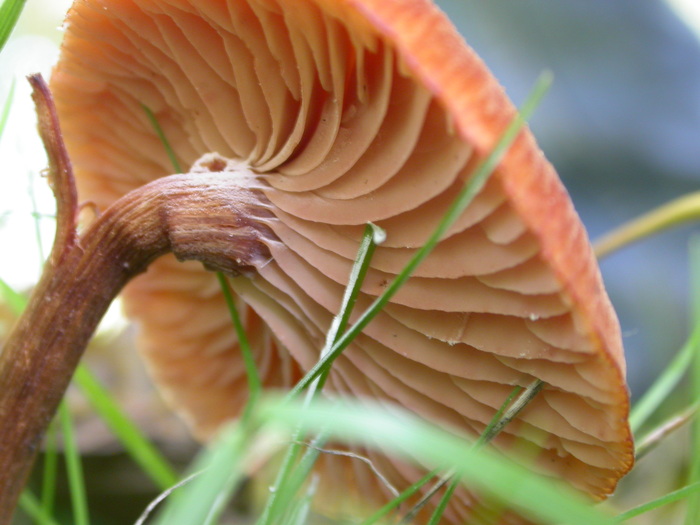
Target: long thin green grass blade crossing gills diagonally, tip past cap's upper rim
473, 186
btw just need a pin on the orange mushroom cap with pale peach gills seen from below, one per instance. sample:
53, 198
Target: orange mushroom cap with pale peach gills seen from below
349, 111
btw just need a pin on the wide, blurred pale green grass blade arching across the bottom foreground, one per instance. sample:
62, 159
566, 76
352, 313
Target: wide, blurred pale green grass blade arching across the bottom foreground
541, 499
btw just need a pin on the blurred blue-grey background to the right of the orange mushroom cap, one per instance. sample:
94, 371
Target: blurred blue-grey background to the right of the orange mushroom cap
621, 125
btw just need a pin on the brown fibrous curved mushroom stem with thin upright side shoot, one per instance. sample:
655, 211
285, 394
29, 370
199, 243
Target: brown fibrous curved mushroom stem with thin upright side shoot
207, 216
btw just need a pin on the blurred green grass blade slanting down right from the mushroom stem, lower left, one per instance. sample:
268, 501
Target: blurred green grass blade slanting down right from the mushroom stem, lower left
135, 443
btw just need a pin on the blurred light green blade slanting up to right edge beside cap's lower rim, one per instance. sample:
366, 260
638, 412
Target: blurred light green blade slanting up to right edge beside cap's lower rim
665, 383
